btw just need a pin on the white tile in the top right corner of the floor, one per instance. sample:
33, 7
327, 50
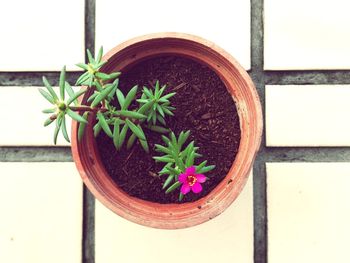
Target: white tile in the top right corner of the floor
309, 34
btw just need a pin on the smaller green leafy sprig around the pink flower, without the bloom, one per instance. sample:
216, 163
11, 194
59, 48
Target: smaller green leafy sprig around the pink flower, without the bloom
178, 158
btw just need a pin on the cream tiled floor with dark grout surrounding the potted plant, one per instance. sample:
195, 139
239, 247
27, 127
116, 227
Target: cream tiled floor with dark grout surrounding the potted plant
298, 54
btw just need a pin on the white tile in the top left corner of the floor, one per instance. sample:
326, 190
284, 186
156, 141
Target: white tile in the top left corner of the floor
41, 35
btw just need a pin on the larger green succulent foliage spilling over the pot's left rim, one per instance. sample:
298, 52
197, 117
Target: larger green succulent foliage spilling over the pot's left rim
123, 122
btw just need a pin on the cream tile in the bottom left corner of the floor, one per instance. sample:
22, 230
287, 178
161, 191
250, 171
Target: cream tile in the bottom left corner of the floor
41, 213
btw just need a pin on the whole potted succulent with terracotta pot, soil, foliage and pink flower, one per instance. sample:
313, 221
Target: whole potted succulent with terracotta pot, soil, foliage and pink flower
195, 94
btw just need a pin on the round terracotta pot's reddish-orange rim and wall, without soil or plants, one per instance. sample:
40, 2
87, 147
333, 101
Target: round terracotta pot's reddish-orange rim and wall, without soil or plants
242, 90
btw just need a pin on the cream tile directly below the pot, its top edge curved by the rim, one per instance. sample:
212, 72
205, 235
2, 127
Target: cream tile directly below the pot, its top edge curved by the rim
226, 238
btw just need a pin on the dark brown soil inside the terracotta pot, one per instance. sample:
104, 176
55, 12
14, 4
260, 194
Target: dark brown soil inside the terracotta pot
203, 106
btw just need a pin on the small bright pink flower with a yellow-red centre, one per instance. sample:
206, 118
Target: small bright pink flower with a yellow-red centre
191, 181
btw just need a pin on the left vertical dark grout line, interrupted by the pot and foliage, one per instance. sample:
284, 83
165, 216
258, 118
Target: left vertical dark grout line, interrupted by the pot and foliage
88, 244
